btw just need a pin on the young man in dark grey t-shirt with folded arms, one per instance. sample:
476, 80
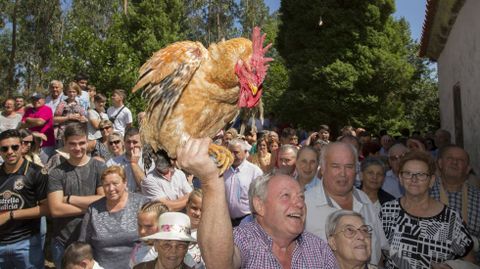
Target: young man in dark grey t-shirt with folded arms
72, 186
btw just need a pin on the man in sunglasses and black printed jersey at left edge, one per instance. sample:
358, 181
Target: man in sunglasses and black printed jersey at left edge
23, 188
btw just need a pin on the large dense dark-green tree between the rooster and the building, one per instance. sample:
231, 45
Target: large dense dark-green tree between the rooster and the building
357, 68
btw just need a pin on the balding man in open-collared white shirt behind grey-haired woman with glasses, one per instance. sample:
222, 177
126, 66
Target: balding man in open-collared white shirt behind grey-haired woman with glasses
336, 191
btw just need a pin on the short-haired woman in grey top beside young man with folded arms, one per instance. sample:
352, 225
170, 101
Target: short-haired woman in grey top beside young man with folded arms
110, 224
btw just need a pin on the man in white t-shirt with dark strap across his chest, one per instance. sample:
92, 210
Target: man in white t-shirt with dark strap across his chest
118, 113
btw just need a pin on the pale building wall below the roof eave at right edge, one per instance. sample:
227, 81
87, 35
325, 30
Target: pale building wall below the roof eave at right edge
460, 62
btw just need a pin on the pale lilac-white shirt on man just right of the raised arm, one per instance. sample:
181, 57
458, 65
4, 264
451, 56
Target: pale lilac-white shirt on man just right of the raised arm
237, 183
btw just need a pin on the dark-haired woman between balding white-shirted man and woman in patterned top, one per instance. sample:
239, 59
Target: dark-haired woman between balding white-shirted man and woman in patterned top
372, 176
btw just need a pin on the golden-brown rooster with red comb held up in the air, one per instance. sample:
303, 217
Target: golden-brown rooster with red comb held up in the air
195, 92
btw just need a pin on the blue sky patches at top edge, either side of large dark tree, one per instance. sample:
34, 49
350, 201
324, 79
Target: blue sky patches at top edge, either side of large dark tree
412, 10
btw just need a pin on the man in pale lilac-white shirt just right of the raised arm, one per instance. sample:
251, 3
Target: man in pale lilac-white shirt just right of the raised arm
237, 181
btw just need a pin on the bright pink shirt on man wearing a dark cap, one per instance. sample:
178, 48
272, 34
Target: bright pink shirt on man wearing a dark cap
45, 113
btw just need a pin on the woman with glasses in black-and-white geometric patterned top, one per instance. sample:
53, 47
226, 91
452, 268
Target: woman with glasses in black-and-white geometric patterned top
421, 231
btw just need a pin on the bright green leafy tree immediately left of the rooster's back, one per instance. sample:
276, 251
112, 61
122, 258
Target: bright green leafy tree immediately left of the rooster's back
111, 56
